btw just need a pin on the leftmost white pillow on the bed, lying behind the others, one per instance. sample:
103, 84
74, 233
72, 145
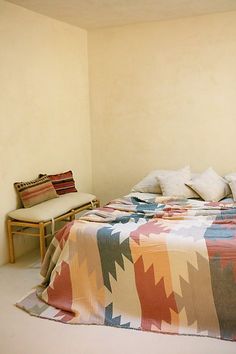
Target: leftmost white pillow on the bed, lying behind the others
150, 183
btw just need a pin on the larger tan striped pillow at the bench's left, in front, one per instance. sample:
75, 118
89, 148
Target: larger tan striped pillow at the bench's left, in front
36, 191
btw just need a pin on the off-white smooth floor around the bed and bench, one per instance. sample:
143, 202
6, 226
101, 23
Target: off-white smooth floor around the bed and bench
22, 334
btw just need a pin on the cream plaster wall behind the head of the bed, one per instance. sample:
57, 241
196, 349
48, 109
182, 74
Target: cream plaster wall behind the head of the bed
163, 95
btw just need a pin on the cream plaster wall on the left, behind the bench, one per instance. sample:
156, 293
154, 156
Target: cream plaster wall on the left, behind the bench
44, 105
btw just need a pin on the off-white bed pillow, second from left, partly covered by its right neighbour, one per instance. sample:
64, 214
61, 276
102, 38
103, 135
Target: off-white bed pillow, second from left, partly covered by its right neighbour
175, 184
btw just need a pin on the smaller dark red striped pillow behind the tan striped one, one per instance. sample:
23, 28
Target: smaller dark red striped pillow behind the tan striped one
63, 182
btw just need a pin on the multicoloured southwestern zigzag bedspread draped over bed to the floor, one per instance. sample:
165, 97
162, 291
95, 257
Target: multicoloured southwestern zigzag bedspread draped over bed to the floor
164, 265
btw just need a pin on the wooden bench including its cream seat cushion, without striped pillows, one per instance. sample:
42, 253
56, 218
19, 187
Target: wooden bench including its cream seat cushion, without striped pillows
35, 220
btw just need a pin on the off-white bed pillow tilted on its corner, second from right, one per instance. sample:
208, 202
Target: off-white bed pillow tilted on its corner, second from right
210, 186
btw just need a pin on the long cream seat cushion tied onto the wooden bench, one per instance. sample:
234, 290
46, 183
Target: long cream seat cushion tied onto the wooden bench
52, 208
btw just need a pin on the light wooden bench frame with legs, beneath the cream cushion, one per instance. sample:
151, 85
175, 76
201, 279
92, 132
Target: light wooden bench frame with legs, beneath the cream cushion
13, 226
